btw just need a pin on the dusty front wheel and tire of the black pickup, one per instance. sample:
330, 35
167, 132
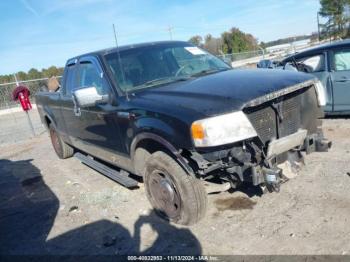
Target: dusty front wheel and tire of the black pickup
175, 195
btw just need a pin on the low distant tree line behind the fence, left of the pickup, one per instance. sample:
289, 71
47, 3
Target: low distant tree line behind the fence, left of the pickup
33, 74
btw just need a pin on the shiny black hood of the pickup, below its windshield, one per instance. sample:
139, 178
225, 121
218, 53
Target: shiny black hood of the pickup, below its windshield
222, 92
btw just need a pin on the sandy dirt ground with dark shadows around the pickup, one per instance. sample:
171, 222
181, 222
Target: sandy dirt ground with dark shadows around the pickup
57, 206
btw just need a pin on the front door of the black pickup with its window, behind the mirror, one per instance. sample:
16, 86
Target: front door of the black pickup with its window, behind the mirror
97, 132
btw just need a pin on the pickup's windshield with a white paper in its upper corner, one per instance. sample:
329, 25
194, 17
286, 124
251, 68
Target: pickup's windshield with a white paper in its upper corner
154, 65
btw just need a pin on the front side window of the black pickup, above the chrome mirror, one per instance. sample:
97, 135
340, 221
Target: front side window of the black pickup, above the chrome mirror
89, 76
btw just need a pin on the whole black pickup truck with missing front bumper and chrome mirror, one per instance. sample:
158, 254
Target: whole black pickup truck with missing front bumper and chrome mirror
184, 121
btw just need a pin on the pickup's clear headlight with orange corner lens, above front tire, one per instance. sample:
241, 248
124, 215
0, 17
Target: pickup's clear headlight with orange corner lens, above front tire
223, 129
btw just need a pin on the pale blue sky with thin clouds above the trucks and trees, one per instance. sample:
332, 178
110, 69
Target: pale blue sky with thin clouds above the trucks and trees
41, 33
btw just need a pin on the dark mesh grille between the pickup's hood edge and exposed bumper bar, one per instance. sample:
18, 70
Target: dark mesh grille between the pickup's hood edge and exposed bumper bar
267, 123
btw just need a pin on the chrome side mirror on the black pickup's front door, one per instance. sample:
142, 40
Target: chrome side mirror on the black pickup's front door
88, 96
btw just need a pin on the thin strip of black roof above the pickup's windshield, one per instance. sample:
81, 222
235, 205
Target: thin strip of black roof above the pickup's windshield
127, 47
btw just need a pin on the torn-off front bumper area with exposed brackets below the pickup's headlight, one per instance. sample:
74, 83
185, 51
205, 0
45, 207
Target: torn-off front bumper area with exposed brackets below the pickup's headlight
249, 163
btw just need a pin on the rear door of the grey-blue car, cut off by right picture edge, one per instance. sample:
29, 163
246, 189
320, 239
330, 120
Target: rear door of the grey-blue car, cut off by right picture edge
340, 73
